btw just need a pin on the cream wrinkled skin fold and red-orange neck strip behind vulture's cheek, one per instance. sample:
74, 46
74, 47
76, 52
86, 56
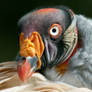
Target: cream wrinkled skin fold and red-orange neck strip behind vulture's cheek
71, 35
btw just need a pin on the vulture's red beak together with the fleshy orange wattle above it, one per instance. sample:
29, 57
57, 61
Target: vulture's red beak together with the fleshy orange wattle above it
31, 48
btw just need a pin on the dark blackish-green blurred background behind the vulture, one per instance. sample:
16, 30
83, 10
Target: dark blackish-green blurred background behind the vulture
12, 10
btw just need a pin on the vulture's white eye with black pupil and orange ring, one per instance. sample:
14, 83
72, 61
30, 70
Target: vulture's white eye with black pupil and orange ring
55, 31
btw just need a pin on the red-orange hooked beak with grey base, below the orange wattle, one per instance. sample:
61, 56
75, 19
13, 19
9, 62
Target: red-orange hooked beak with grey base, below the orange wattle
26, 68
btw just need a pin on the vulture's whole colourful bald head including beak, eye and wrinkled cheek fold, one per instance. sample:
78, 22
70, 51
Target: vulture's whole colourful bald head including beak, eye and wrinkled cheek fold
47, 38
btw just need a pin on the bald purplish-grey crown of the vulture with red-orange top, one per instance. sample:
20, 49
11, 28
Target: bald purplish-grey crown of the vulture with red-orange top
41, 19
